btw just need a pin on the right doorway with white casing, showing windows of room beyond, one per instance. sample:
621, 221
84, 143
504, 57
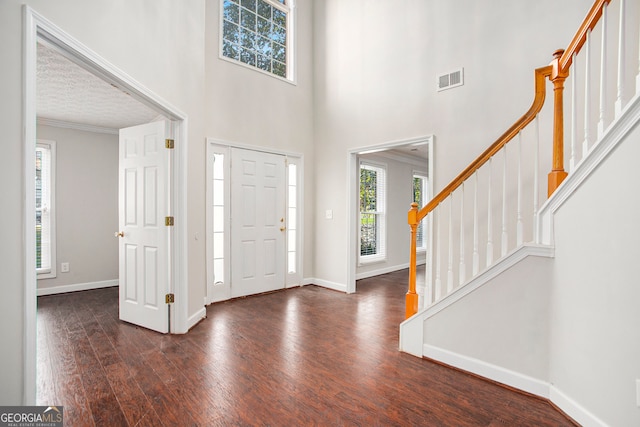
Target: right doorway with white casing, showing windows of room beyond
395, 173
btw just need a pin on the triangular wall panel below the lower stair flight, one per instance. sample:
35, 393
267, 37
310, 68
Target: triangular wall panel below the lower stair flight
502, 323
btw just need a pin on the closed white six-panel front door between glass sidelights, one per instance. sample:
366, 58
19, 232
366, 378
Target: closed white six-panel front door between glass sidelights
258, 222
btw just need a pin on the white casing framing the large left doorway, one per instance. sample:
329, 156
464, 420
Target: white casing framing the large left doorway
38, 30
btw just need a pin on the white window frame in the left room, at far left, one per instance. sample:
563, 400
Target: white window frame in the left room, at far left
48, 211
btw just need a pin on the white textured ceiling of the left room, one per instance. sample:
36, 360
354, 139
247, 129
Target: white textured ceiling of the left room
68, 93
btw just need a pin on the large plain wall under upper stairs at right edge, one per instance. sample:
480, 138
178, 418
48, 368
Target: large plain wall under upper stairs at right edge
595, 341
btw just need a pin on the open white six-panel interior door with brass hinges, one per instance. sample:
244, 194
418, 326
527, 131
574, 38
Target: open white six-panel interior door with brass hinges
145, 258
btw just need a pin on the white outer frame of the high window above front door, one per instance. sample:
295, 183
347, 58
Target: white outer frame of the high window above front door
290, 45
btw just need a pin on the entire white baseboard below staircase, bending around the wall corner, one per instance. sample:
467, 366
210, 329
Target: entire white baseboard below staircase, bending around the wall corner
515, 380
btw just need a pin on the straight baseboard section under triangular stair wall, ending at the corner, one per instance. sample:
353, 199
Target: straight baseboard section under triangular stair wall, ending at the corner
488, 370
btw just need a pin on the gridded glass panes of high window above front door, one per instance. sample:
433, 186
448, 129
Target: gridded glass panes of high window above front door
257, 33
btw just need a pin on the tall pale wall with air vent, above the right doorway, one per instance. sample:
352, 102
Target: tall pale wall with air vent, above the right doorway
375, 81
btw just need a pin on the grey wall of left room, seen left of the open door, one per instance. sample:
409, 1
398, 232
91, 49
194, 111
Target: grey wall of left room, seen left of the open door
86, 205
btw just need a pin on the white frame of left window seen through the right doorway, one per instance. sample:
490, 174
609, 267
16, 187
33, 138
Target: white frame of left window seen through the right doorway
381, 212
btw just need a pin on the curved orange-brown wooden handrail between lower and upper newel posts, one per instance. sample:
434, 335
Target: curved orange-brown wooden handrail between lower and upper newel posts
540, 92
